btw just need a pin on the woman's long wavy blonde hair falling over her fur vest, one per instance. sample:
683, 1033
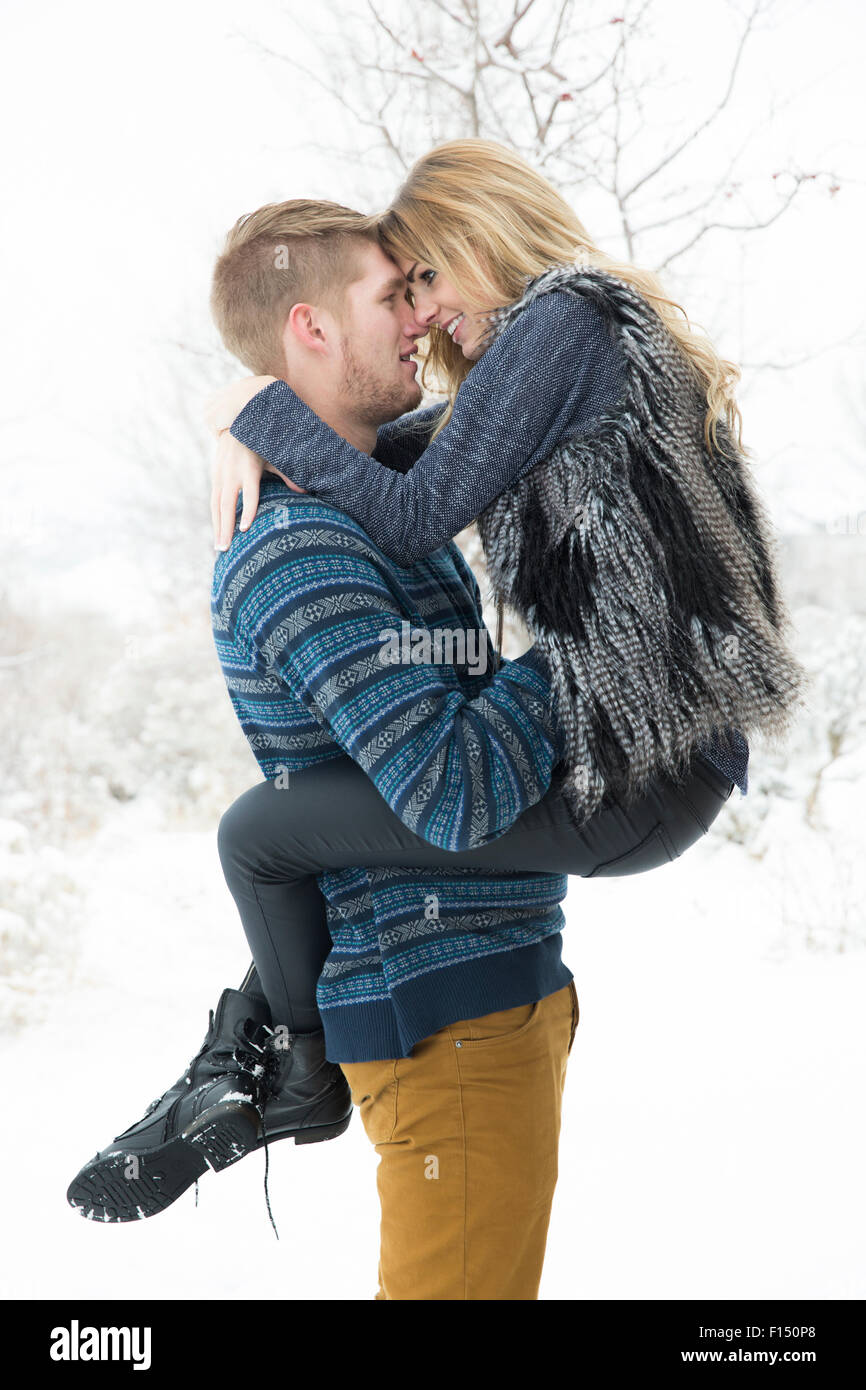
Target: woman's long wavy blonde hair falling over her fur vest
483, 218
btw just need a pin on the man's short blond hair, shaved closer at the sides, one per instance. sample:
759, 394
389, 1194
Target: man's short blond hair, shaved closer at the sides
284, 255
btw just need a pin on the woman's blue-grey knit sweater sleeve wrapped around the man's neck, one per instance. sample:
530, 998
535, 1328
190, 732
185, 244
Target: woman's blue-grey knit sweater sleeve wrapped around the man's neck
541, 382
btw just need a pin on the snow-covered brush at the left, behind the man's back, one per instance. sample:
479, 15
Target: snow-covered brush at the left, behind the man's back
98, 722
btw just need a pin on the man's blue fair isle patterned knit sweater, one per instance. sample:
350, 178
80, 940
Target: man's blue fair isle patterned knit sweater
301, 604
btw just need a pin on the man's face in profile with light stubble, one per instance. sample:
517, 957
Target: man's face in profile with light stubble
380, 333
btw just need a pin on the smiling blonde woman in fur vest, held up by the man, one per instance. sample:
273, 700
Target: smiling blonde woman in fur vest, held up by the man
618, 521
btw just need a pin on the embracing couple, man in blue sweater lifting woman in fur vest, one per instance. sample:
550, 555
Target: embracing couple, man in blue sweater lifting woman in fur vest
400, 871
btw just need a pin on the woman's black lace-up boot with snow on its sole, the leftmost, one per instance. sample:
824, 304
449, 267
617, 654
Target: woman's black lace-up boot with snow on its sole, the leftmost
211, 1118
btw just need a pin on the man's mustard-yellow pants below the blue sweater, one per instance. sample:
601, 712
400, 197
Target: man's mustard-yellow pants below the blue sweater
468, 1135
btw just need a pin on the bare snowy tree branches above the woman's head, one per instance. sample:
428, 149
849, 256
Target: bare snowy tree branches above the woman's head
583, 98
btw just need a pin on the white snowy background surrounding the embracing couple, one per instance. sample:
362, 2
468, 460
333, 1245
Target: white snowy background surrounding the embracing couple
714, 1122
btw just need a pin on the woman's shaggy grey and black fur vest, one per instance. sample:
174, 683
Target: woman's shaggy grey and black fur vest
644, 566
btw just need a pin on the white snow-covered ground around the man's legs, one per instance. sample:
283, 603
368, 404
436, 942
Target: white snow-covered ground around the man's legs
714, 1127
